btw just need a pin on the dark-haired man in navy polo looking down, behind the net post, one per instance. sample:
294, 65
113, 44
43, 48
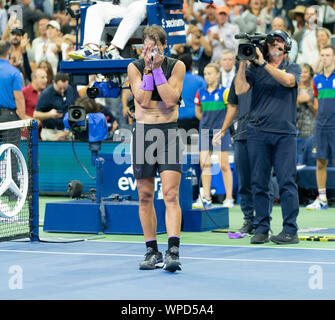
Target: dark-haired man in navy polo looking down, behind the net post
51, 106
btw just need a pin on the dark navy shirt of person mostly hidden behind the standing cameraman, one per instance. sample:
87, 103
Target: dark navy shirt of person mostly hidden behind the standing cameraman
243, 101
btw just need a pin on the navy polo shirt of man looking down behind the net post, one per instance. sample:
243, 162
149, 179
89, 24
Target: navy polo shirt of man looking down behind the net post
49, 99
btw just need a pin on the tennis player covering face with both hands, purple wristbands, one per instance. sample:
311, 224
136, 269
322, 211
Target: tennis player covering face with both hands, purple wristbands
156, 82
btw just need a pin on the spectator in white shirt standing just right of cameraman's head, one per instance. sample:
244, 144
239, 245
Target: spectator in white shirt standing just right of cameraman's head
306, 38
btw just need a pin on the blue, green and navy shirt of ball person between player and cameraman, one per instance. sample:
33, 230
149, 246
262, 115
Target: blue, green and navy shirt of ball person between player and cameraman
213, 107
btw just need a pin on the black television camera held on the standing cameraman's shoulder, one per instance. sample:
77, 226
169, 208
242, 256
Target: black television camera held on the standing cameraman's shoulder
247, 50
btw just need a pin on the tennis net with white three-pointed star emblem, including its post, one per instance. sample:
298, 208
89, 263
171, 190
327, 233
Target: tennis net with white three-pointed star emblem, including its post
19, 213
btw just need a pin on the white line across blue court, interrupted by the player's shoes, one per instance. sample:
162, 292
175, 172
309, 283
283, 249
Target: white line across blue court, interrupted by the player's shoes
182, 258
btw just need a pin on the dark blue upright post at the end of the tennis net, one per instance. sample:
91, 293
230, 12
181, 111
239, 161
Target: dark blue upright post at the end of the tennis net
35, 196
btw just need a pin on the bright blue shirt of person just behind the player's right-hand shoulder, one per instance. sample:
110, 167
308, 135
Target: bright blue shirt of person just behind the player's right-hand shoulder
191, 84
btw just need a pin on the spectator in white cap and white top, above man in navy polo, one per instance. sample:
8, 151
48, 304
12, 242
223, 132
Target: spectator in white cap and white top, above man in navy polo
51, 50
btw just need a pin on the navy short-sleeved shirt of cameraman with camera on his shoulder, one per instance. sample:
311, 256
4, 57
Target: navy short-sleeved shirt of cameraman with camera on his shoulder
273, 106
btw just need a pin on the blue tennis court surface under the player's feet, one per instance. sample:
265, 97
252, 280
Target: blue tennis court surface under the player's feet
109, 270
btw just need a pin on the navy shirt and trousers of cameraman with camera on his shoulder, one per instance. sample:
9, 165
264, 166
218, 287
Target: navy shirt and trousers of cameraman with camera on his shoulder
271, 141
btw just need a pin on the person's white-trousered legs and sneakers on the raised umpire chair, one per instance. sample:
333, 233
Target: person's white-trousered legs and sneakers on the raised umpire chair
99, 14
